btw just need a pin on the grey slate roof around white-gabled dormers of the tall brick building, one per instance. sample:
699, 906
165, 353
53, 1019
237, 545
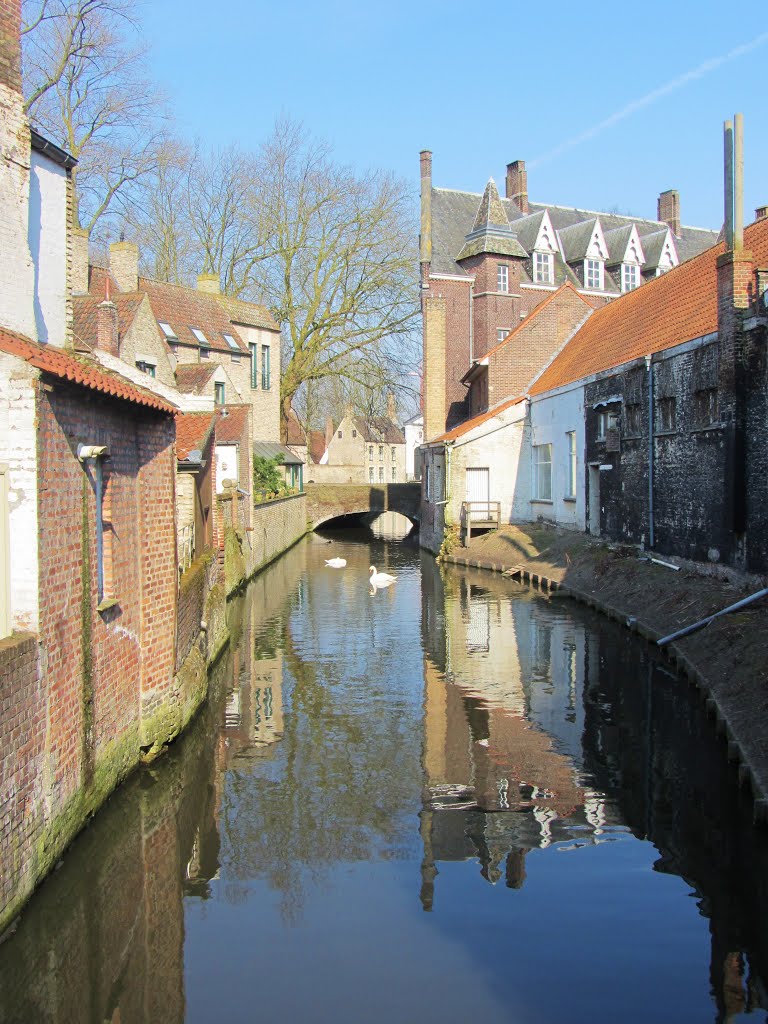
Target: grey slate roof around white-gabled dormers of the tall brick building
454, 215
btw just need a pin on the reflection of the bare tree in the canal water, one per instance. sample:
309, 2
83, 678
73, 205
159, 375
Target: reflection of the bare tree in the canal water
340, 791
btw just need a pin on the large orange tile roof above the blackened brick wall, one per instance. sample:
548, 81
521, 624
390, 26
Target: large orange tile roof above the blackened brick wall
677, 308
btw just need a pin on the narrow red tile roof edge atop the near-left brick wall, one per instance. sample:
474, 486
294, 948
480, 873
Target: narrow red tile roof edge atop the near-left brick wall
67, 366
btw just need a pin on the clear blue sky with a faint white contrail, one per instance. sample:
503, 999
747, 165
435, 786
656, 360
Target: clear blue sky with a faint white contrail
609, 105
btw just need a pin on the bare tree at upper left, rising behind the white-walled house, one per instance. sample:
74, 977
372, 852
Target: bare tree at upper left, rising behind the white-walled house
87, 90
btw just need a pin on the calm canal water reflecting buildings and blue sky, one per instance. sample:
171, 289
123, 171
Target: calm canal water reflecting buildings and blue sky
446, 800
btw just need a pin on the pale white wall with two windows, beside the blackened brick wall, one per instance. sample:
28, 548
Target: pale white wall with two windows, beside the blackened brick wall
552, 416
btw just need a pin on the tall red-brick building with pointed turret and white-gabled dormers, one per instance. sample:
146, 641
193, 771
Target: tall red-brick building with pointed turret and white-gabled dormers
488, 263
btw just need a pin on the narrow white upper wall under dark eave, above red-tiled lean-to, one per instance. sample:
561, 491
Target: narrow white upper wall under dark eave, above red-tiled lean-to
48, 240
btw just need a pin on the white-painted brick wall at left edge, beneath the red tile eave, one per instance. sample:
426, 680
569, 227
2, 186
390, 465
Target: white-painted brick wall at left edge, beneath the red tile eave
19, 454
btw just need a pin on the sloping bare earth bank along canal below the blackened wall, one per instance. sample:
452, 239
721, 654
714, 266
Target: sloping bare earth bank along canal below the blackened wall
728, 661
